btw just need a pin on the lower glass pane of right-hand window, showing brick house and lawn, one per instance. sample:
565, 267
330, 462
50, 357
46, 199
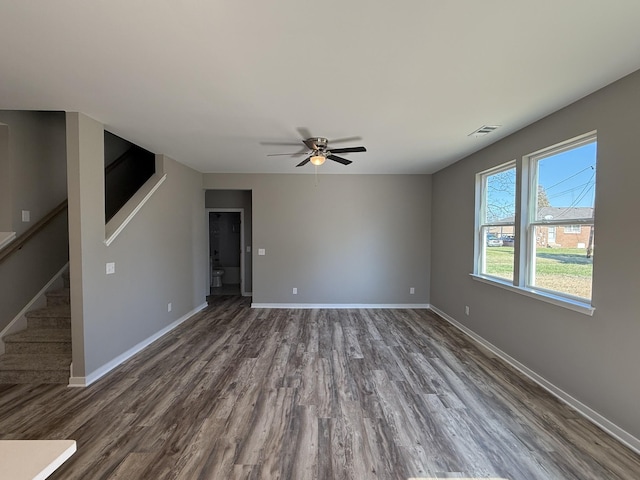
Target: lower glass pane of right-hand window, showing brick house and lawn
563, 263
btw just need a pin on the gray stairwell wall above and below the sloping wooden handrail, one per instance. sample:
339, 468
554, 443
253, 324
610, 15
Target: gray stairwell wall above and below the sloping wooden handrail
32, 177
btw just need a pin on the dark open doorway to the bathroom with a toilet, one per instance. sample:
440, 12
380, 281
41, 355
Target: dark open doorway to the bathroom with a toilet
226, 237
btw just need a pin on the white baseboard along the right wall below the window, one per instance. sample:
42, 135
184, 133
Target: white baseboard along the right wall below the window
587, 412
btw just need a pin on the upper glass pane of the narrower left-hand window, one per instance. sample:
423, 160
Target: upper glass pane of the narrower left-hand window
500, 196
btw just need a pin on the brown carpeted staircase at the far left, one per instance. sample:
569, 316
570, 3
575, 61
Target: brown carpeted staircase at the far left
42, 352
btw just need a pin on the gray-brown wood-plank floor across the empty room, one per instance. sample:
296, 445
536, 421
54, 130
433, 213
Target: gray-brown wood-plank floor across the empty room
314, 394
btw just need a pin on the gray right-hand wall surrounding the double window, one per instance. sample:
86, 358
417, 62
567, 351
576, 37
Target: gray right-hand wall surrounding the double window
594, 359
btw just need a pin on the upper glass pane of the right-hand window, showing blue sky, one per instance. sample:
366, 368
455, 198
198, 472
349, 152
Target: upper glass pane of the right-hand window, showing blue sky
566, 184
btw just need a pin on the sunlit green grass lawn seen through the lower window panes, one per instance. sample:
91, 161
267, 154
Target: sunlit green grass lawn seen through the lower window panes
566, 270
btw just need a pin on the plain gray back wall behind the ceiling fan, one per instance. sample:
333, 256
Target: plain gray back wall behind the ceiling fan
351, 239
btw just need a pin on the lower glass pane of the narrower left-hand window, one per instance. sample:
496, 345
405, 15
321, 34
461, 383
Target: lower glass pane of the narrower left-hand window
498, 251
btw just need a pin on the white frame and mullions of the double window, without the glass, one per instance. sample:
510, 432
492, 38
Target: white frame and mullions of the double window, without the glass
524, 225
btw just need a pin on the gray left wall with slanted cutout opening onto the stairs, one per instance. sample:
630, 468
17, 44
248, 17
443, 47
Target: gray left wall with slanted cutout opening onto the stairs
160, 257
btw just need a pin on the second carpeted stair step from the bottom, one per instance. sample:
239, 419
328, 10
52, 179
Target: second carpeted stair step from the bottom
39, 341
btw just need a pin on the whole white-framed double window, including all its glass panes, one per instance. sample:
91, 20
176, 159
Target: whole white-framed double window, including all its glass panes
551, 231
